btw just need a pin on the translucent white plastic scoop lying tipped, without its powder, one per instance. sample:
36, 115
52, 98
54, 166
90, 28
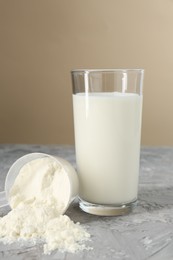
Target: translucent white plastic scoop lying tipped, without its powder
18, 164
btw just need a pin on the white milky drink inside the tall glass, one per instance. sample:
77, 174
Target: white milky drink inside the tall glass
107, 138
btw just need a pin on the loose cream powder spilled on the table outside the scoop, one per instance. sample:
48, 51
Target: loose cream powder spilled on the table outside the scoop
38, 222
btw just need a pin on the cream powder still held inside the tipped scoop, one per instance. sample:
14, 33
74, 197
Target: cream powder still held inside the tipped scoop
42, 180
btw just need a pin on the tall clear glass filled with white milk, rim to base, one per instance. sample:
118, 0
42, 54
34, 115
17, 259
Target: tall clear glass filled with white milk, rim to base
107, 109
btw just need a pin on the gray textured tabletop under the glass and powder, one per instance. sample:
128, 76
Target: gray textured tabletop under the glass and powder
146, 233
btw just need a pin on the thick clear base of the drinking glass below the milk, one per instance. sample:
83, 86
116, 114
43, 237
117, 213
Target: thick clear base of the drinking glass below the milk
107, 210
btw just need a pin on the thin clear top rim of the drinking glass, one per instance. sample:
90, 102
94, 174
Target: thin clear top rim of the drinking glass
106, 70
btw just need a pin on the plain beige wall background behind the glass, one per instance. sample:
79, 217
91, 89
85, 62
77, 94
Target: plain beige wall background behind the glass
41, 41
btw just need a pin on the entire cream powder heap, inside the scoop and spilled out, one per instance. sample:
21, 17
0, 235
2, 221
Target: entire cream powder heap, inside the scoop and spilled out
38, 199
